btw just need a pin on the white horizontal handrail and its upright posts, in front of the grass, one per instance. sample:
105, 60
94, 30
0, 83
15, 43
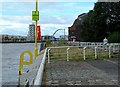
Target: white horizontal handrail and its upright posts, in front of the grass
106, 47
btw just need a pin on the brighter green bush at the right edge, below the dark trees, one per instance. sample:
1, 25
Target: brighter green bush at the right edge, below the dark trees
114, 37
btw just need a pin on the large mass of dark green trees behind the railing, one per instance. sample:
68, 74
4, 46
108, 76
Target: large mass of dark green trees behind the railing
101, 22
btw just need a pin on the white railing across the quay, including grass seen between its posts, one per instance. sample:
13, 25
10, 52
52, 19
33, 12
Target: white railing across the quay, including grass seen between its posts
82, 52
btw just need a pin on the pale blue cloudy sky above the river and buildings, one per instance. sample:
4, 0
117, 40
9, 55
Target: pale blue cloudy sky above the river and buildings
15, 16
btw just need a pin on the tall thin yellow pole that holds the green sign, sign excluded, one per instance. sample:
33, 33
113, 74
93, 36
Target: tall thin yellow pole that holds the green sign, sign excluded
36, 47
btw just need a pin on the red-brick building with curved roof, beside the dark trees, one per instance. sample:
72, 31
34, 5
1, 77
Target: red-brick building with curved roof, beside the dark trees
73, 31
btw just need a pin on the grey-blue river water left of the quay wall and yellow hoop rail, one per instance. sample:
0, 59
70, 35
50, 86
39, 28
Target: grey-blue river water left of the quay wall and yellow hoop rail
10, 61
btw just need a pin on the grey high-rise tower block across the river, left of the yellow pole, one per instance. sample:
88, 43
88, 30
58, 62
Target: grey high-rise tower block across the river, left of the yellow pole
31, 33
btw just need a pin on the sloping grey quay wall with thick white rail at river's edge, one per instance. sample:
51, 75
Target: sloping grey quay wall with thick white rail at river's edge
32, 74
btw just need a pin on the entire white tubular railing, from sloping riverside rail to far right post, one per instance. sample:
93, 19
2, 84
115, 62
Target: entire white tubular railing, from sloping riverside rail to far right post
39, 76
